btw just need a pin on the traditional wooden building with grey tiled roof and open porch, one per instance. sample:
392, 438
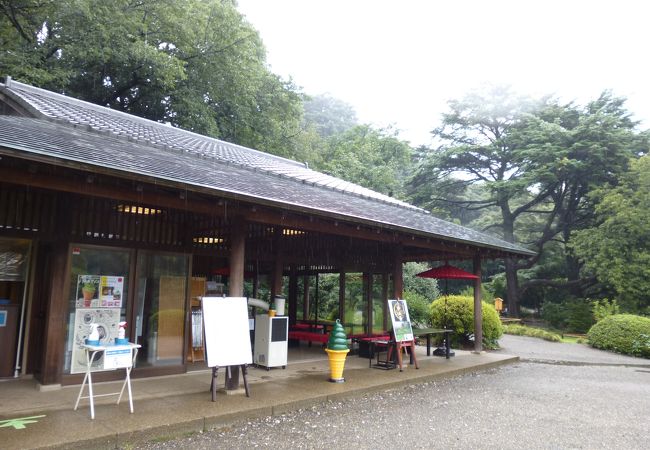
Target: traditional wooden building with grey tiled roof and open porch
93, 193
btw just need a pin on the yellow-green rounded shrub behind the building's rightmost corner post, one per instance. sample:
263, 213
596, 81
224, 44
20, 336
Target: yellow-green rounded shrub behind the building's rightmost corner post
457, 312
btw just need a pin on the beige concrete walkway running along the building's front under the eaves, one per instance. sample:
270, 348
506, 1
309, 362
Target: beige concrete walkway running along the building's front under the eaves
176, 405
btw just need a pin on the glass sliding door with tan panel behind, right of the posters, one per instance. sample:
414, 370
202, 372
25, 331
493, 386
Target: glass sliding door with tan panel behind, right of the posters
160, 308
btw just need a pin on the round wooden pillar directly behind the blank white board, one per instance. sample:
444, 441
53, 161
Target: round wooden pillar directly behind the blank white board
236, 282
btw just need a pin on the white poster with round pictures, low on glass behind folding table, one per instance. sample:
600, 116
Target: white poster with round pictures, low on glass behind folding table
107, 320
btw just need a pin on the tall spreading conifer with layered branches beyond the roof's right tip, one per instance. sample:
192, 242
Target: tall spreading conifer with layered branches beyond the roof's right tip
536, 160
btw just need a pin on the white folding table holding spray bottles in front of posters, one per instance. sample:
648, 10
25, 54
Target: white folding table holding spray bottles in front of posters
115, 357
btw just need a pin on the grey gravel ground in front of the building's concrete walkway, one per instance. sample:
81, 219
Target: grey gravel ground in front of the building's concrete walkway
525, 405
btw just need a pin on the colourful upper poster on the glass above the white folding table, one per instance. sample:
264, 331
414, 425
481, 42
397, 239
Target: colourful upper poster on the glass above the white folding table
99, 291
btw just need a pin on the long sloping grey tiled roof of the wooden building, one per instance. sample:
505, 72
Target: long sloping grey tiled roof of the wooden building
222, 167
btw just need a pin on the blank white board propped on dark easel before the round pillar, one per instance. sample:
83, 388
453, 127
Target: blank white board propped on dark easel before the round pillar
227, 338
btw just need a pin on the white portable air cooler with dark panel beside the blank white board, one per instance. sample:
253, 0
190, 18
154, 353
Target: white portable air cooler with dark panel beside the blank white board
271, 341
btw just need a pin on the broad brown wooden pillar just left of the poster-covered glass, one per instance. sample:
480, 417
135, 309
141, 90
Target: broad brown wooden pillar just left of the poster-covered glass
56, 316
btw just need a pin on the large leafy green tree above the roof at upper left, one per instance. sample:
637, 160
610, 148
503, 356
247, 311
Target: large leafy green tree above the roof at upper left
196, 64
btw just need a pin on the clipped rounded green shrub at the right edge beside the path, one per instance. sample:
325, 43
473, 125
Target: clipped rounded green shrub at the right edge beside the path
622, 333
